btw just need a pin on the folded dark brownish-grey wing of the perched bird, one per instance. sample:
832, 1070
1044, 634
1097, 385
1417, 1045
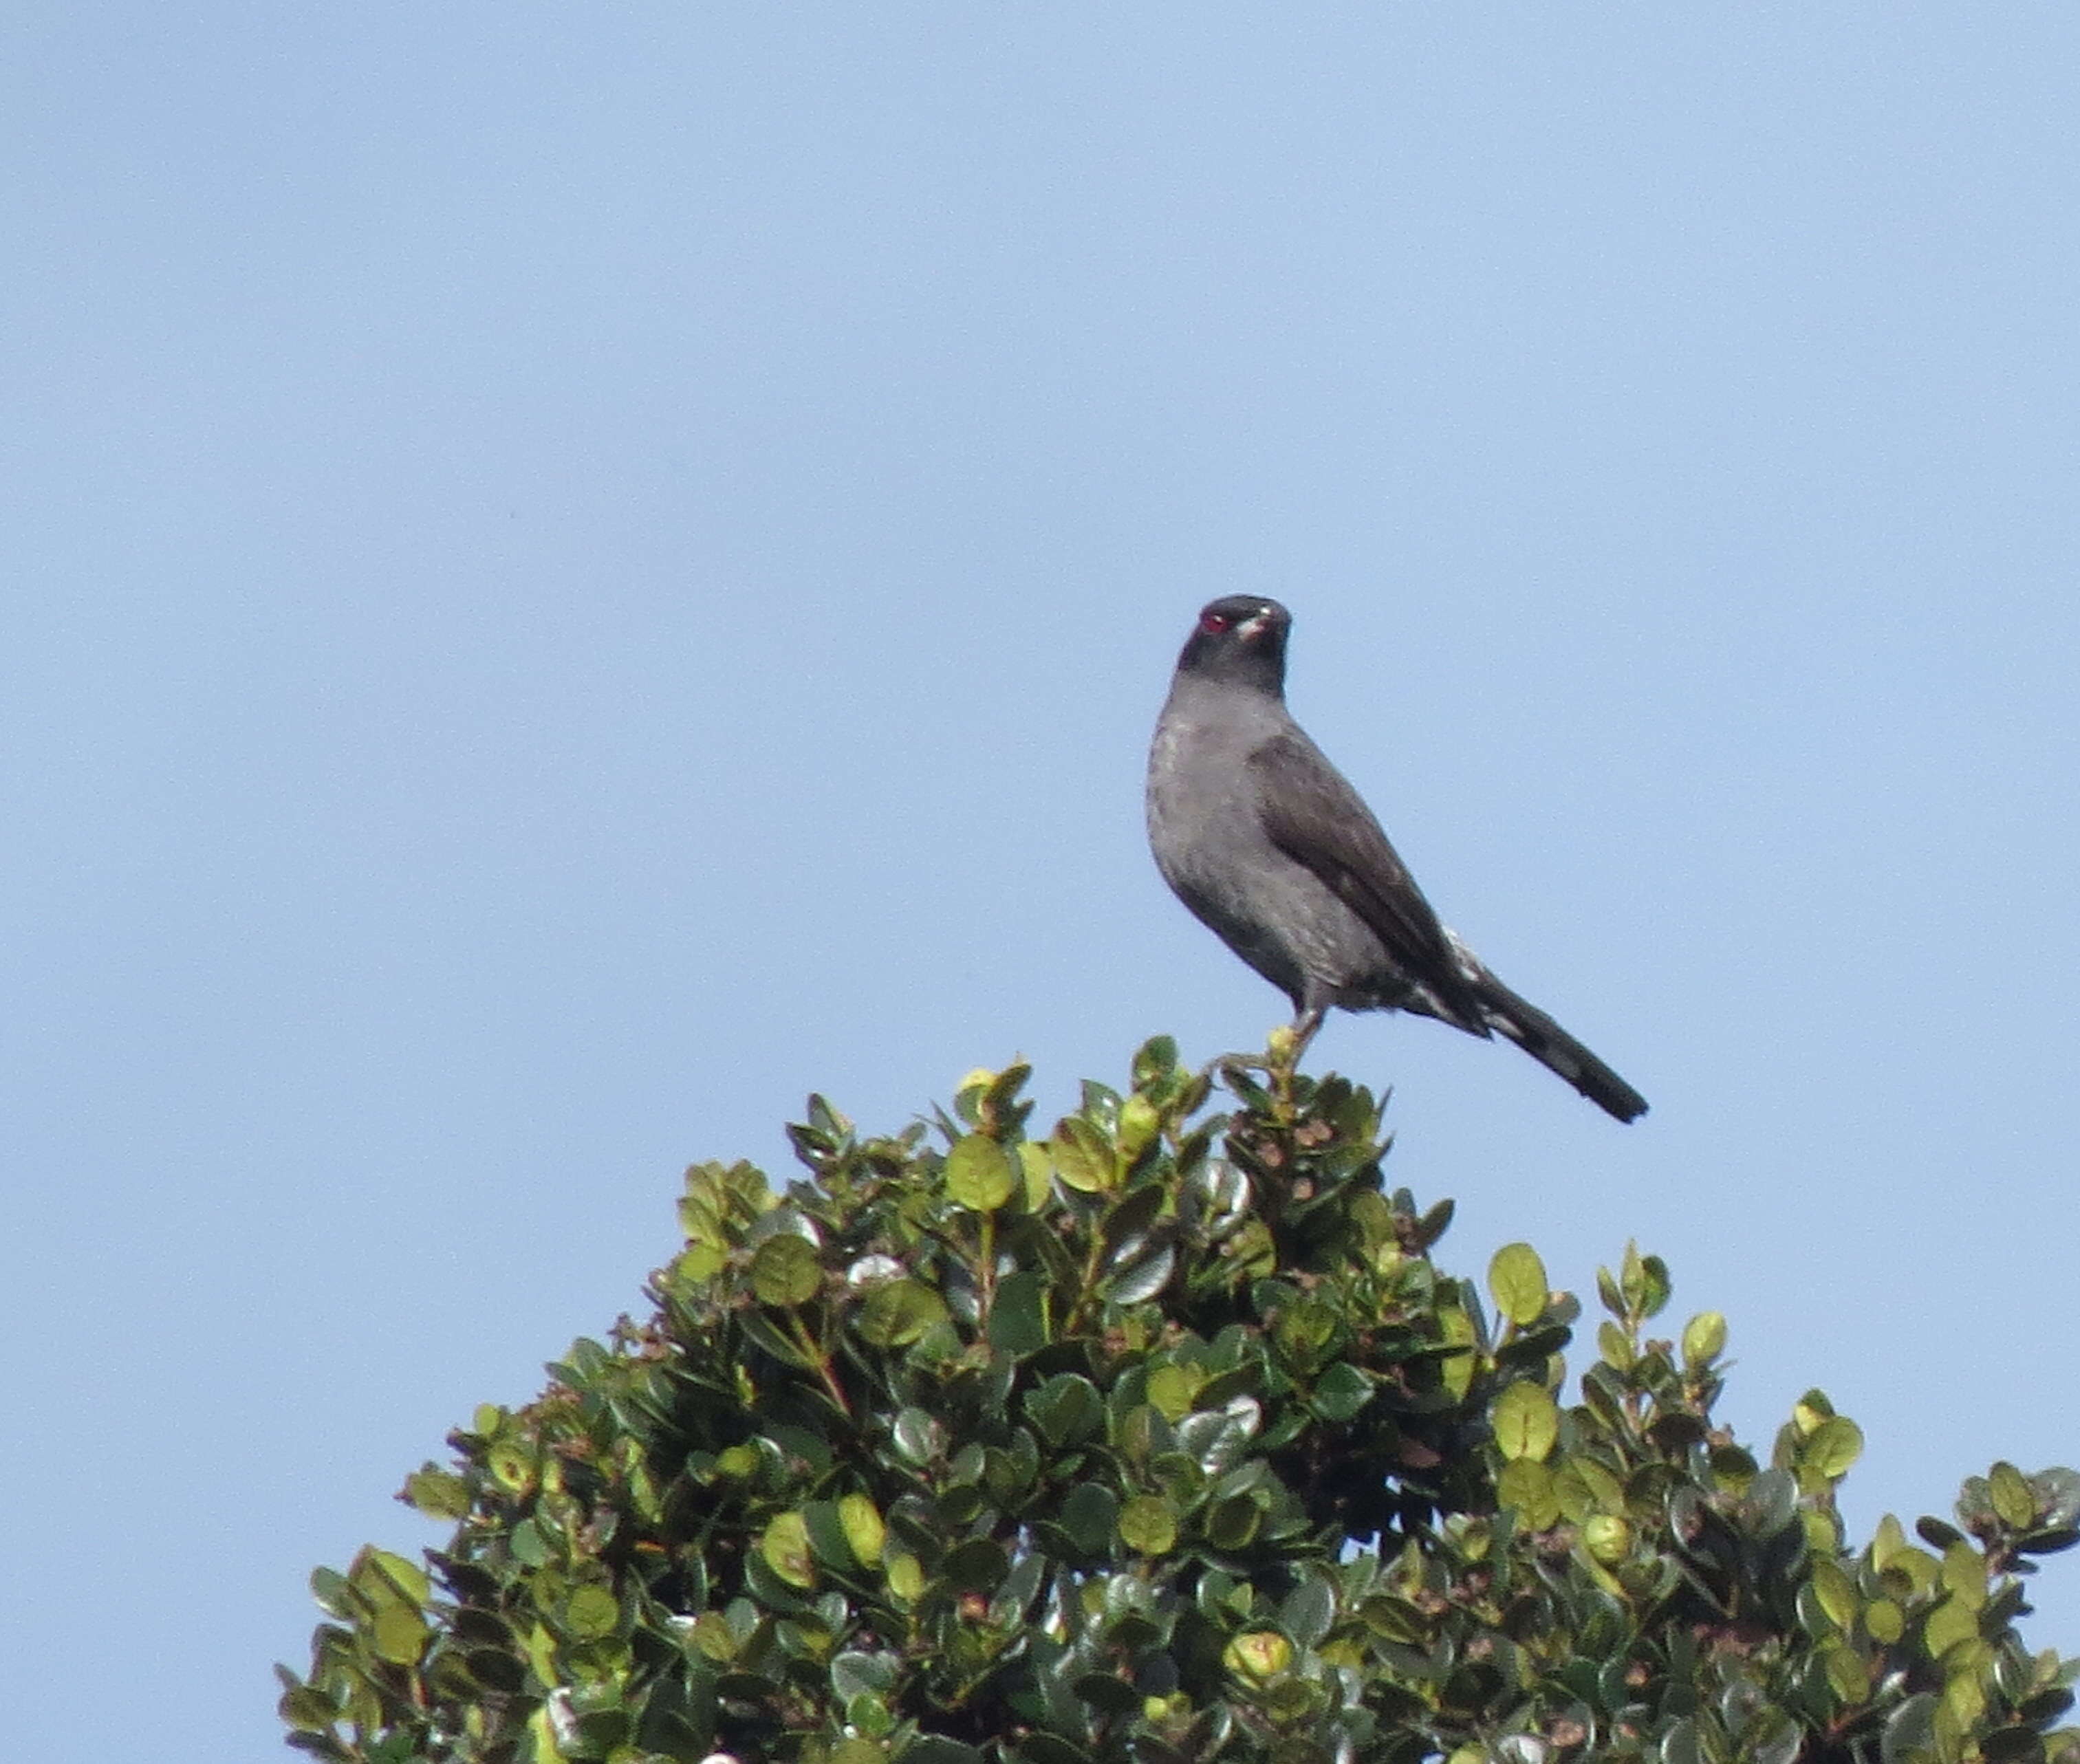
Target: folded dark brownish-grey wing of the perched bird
1318, 821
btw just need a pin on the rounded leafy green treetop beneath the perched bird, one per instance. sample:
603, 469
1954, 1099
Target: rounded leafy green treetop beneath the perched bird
1160, 1438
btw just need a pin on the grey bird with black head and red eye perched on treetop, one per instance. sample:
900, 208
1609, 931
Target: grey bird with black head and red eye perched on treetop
1272, 848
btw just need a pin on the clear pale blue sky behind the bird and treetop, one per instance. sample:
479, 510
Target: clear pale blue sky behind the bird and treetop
577, 575
